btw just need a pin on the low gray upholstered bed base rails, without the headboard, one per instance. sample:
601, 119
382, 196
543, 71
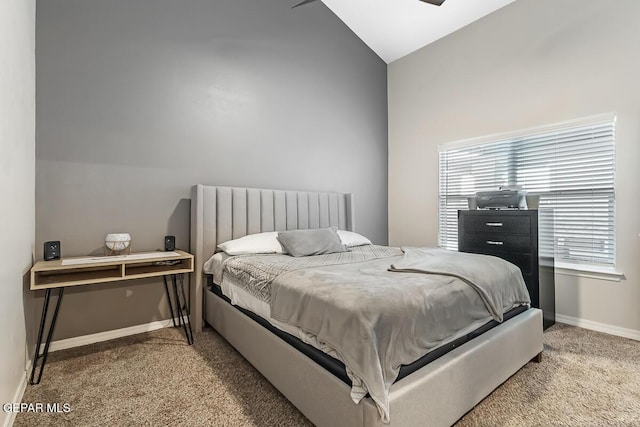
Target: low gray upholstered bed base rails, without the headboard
435, 395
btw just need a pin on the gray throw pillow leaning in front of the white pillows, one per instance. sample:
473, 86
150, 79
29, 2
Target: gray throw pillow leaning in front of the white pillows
311, 242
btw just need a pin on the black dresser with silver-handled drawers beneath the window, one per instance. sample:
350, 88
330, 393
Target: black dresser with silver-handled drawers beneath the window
513, 235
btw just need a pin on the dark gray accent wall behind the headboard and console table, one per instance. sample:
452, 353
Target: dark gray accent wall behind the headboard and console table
139, 100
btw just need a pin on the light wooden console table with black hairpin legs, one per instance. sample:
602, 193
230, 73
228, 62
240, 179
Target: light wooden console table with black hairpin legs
59, 274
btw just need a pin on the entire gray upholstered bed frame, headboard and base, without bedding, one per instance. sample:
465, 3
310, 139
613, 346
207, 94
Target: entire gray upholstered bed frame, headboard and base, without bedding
438, 393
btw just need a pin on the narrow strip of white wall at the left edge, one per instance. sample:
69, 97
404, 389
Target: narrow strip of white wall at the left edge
17, 189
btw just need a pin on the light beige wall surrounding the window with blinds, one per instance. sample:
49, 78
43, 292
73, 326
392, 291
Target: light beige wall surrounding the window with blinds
532, 63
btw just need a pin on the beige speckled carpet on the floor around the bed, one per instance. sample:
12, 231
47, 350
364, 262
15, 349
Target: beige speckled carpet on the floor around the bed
586, 379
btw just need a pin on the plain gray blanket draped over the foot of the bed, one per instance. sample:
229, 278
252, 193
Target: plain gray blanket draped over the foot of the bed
379, 314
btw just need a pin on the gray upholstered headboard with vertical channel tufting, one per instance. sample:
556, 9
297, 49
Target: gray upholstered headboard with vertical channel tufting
219, 214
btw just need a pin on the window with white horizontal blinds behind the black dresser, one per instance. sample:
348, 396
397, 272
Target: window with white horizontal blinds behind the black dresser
570, 166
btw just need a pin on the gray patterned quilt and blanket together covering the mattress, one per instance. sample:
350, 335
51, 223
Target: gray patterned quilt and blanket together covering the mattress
404, 314
